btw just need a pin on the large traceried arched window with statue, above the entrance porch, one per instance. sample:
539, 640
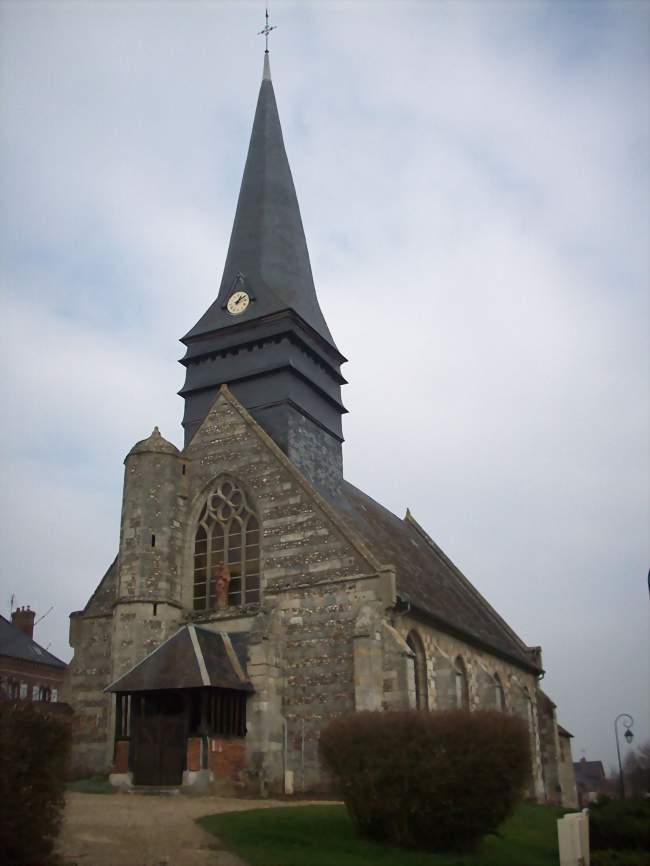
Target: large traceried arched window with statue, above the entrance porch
226, 550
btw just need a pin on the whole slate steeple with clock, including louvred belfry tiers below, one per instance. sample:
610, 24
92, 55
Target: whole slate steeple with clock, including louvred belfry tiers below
265, 335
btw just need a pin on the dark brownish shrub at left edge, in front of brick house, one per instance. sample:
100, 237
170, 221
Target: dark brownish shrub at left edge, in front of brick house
33, 754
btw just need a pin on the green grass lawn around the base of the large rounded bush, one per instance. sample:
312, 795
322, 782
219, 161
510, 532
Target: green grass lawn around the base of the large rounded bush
325, 836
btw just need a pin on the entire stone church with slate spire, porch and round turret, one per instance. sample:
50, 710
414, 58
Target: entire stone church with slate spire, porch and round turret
257, 593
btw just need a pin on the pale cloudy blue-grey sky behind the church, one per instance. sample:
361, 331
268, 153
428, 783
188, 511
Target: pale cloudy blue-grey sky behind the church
473, 179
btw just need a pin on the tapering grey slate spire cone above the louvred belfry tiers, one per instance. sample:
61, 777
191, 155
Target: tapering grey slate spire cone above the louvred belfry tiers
267, 256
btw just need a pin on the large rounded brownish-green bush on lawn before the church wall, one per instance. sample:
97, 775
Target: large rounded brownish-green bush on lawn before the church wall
428, 780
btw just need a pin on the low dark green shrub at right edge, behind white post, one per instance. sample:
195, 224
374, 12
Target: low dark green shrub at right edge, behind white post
620, 824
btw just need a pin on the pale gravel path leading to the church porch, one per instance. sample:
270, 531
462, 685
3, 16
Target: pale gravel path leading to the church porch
140, 830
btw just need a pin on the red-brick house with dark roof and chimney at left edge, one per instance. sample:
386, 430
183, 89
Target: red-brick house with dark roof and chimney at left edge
28, 672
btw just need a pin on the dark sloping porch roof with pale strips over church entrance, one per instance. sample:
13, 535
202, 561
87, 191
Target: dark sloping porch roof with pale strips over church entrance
193, 657
